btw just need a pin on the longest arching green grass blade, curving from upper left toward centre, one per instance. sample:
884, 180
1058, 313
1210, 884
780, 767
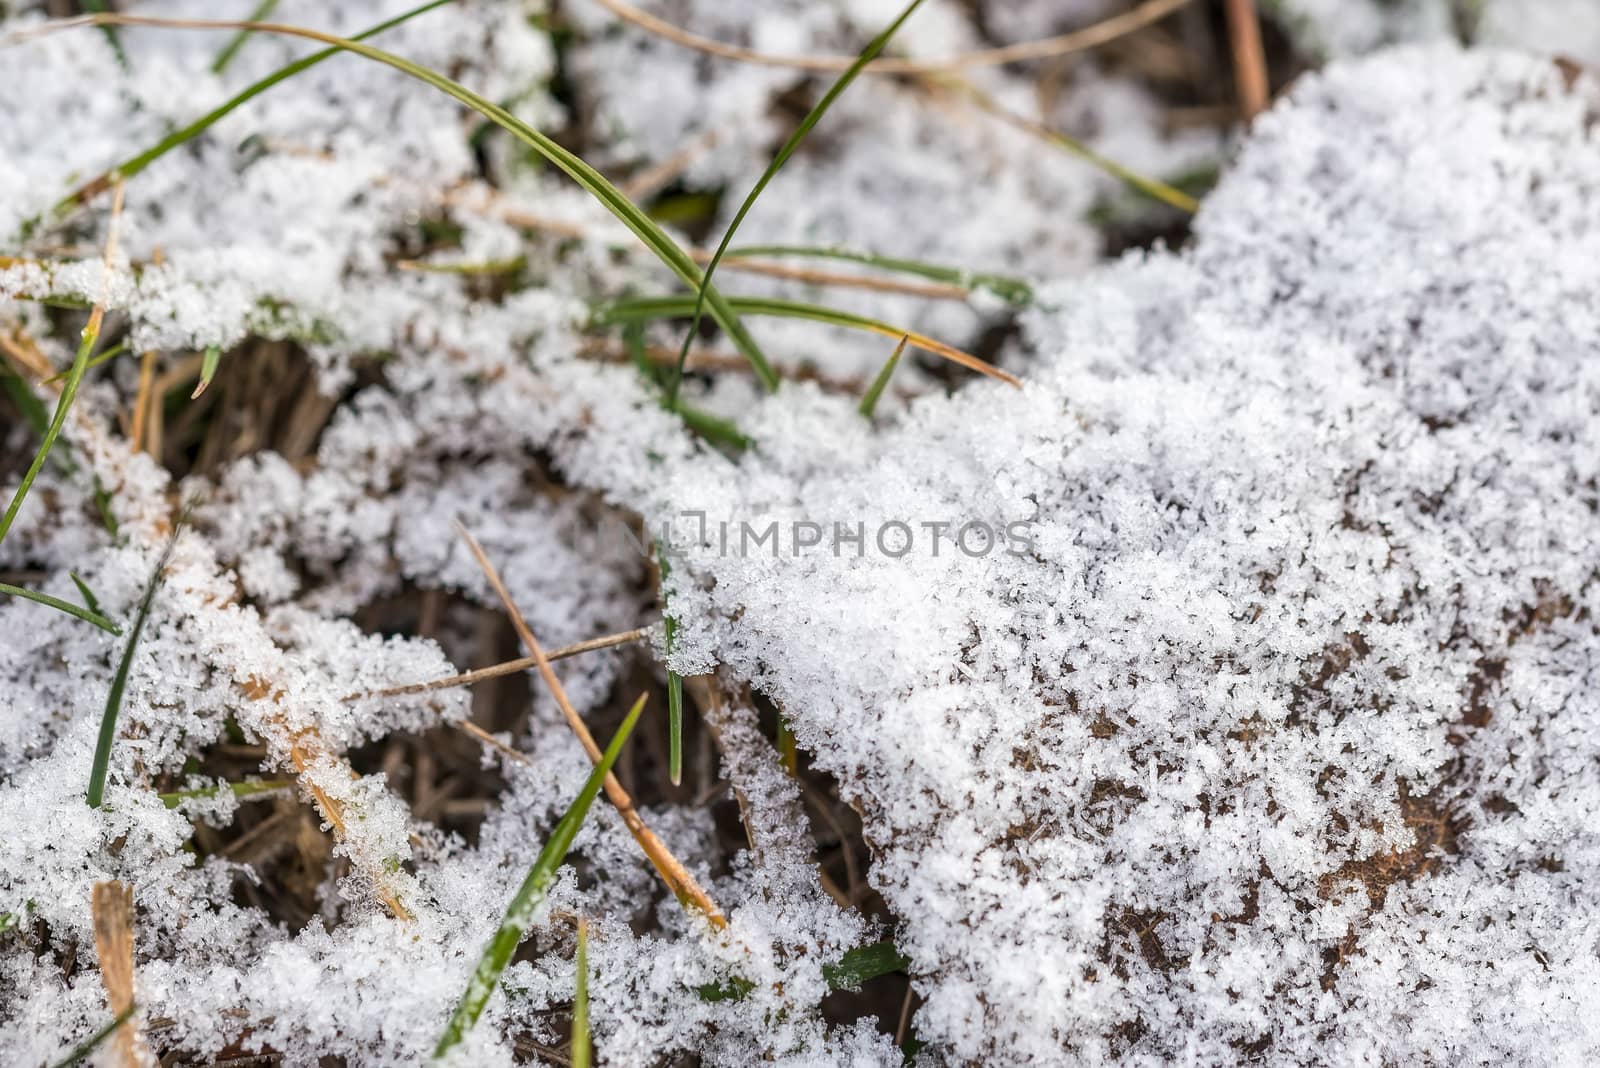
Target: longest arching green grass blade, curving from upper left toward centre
569, 162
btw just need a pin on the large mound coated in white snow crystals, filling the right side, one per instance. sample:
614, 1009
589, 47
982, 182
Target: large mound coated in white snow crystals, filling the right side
1263, 723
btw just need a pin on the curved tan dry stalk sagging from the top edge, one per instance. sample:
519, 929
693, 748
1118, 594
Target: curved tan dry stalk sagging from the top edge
1078, 41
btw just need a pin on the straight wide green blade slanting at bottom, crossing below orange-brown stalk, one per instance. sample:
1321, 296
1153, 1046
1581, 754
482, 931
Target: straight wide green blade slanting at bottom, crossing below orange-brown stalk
534, 888
